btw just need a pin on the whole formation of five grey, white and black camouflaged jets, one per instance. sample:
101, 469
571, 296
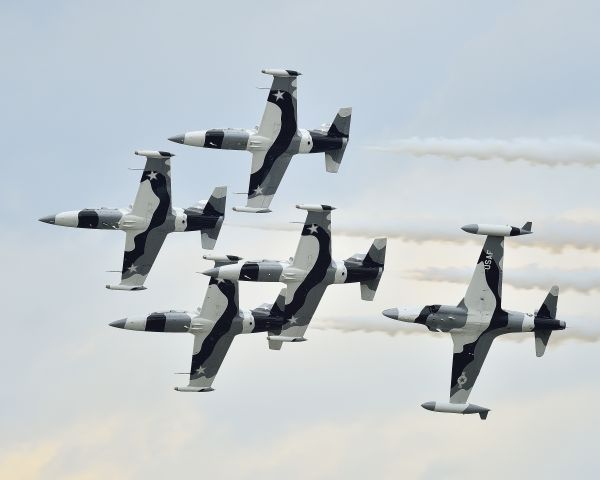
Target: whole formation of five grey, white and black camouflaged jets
473, 324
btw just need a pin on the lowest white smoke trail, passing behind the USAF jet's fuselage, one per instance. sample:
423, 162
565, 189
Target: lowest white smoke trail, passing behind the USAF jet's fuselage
577, 329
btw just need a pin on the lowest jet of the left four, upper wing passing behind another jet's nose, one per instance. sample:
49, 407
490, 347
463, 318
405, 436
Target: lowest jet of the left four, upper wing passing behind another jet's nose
214, 326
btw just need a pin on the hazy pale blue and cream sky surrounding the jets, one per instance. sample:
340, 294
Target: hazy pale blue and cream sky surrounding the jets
86, 83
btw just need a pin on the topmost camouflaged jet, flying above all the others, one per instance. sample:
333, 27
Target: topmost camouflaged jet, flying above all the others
276, 140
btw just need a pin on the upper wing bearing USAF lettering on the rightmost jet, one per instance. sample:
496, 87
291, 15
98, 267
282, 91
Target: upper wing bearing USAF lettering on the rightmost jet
484, 293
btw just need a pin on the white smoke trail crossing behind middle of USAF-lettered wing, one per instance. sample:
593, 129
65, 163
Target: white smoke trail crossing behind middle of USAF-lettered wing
529, 277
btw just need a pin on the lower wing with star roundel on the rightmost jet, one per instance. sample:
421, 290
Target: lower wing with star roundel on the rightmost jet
470, 351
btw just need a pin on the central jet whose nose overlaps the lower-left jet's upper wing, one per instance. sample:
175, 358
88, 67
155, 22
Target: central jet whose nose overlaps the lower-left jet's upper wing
309, 273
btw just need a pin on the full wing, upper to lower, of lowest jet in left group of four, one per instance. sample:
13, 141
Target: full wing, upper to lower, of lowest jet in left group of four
211, 342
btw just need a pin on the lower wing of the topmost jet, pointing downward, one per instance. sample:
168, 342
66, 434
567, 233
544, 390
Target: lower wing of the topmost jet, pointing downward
268, 168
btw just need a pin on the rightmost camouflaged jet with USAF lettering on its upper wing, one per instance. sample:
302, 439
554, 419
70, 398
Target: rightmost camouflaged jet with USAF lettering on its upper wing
479, 318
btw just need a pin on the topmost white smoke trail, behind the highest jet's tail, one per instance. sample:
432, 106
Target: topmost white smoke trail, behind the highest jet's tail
551, 151
